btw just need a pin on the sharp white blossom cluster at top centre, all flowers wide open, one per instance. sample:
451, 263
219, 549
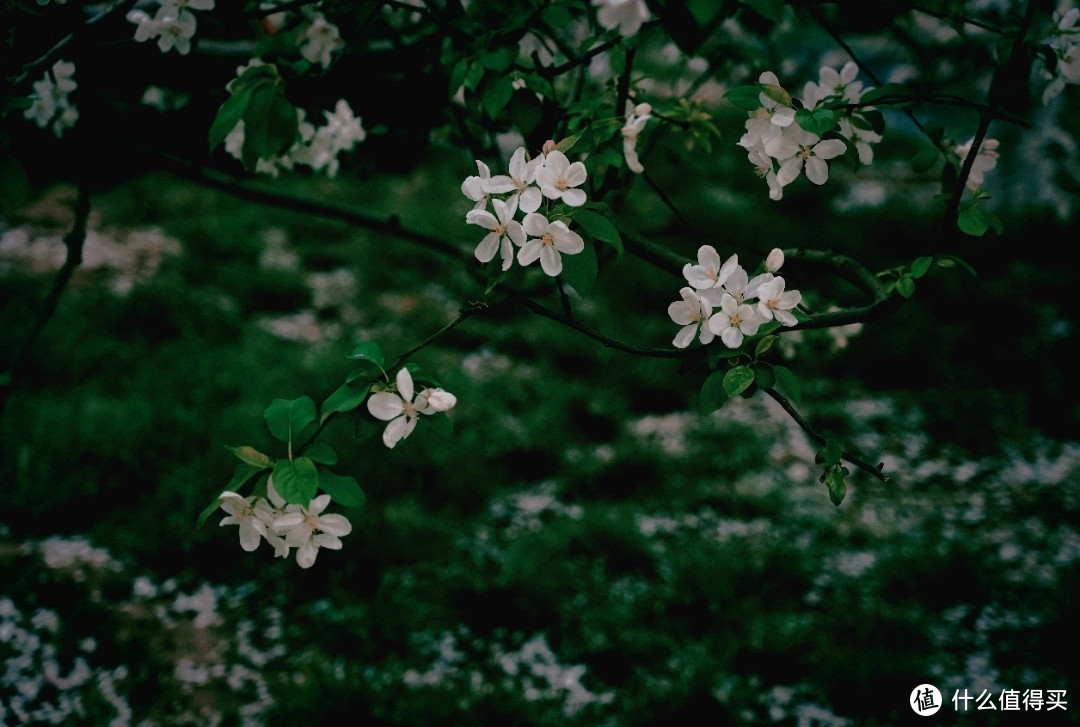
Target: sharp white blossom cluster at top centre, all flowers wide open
550, 177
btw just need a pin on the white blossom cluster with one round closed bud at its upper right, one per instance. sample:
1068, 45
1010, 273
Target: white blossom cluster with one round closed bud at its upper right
718, 301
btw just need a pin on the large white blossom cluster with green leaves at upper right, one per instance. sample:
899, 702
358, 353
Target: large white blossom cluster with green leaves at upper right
780, 150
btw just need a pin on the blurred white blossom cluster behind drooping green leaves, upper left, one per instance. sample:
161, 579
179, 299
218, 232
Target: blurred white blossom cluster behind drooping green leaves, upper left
318, 147
